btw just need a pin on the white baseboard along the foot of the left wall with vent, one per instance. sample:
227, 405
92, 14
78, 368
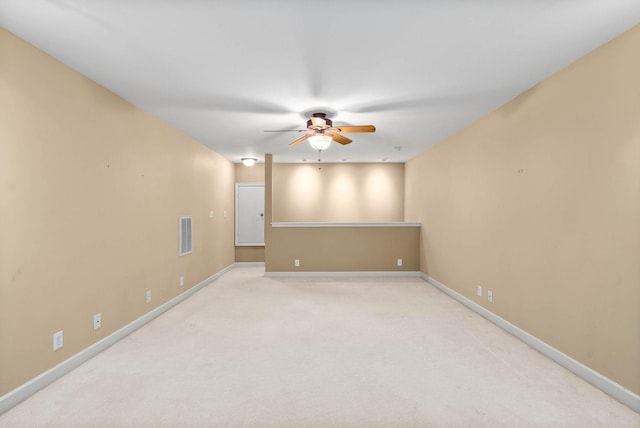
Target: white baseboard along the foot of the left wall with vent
12, 398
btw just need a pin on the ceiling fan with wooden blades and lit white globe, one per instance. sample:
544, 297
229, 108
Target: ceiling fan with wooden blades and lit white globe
320, 132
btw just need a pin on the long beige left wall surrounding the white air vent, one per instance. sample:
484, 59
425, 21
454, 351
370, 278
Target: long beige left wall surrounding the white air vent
91, 189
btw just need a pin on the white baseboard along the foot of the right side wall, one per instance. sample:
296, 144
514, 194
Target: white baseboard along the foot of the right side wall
615, 390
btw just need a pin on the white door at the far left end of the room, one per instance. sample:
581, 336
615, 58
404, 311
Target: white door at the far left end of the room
249, 214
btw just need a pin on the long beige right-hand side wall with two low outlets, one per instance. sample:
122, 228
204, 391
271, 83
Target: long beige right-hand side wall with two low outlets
540, 202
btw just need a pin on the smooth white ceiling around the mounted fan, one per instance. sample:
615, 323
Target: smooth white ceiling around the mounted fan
225, 71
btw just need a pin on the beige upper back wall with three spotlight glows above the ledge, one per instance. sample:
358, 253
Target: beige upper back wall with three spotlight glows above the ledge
338, 192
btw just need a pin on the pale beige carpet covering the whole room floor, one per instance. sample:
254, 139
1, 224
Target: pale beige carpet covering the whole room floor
250, 351
